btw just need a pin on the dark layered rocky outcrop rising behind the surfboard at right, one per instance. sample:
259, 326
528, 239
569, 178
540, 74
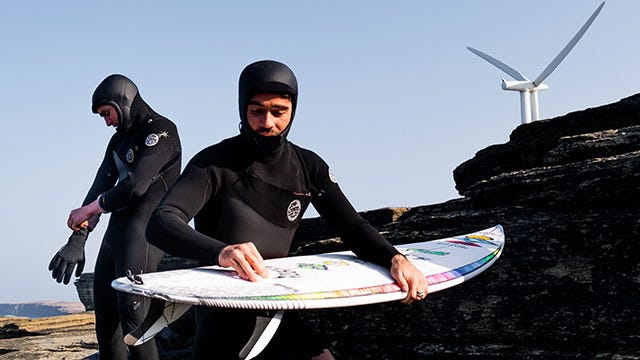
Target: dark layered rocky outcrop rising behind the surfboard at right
567, 192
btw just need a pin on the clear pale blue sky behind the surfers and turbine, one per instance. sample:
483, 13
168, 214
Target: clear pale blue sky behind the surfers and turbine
389, 95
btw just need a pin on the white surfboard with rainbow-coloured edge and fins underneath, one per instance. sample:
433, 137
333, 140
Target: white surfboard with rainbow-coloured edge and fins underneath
328, 280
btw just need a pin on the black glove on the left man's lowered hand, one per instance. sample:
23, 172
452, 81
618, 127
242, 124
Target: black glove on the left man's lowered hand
70, 255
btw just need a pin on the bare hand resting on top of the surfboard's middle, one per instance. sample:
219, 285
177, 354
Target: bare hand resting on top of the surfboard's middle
245, 259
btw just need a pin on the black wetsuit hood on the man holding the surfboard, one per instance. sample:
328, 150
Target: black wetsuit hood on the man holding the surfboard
266, 76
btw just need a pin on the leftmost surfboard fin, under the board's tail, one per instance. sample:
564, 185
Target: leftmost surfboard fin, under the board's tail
161, 313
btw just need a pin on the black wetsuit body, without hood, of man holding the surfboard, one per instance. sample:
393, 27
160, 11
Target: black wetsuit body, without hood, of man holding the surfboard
236, 195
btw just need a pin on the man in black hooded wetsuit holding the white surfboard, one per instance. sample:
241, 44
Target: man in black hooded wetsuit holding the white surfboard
247, 195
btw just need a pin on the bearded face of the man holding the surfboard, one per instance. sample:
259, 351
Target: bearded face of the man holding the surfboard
269, 114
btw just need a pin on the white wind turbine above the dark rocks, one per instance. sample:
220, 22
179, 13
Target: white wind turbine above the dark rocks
529, 89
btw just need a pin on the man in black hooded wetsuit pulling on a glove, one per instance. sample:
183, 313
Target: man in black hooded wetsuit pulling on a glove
142, 160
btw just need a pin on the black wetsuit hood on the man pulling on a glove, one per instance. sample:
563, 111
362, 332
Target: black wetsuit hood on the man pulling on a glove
121, 93
